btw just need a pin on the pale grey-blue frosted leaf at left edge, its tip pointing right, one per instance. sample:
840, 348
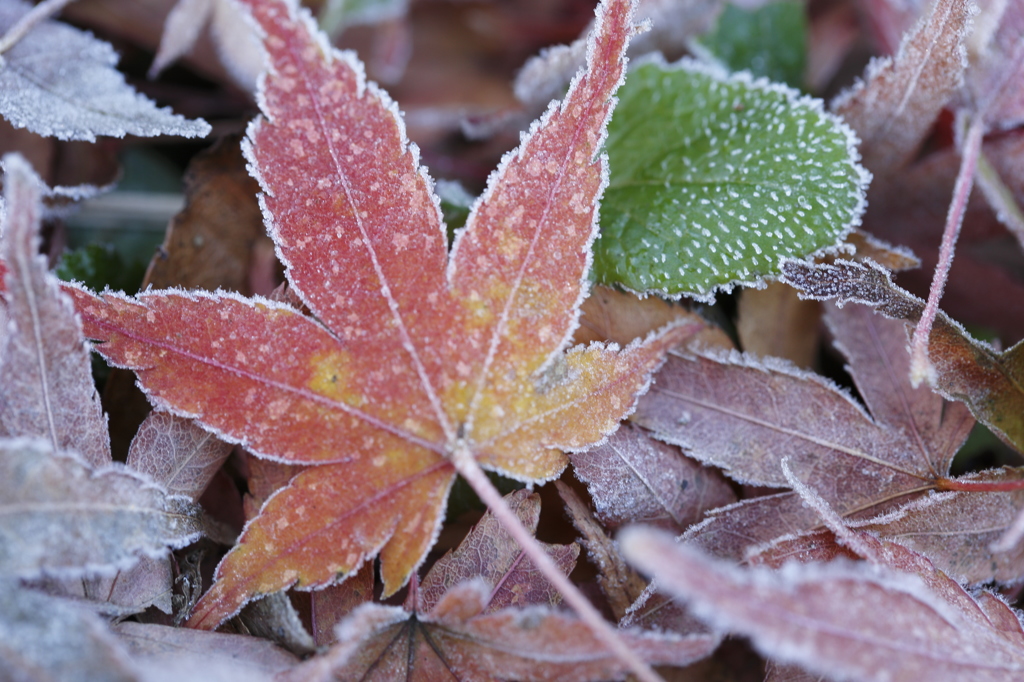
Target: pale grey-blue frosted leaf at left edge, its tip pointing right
63, 518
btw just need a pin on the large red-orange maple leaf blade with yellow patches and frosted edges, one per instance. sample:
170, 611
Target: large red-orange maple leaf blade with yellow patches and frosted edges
416, 365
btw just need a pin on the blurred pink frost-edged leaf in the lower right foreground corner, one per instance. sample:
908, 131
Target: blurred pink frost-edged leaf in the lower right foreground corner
850, 621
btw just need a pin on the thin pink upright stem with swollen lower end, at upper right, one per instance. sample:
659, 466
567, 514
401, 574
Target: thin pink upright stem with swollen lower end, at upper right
920, 366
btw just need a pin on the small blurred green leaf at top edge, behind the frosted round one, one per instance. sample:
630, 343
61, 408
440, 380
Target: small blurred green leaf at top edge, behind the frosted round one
770, 41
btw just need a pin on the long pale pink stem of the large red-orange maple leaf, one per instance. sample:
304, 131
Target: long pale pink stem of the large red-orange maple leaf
467, 466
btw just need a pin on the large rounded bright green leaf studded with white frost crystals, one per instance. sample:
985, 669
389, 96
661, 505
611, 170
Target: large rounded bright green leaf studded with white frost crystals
715, 180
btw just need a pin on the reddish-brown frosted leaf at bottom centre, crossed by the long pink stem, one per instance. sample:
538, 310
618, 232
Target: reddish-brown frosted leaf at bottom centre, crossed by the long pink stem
456, 642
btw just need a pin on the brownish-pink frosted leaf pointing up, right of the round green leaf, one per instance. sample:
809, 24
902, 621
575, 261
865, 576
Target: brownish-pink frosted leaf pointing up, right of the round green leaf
898, 104
